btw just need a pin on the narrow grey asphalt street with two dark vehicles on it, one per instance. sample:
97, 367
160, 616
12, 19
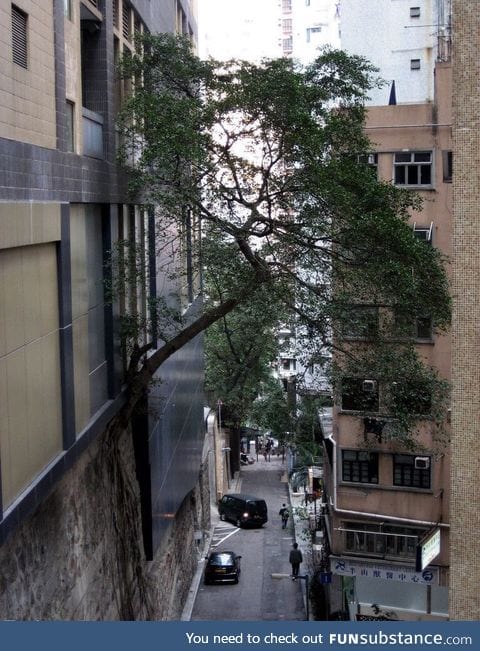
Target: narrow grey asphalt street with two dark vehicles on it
264, 551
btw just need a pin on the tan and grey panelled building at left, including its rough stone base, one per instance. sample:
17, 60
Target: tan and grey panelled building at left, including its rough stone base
63, 205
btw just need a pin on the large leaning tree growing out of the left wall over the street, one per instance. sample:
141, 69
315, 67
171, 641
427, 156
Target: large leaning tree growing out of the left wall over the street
269, 158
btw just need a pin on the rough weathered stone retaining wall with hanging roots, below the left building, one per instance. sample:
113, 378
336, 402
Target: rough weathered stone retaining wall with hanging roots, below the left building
62, 563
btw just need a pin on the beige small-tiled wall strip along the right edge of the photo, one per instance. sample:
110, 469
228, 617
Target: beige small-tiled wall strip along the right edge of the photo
465, 477
